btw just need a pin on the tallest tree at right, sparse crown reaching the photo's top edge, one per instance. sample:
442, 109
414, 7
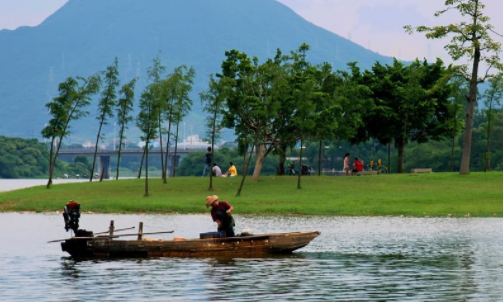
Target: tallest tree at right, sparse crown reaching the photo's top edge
471, 39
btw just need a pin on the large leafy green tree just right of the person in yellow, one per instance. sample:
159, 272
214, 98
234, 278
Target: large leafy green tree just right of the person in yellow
255, 106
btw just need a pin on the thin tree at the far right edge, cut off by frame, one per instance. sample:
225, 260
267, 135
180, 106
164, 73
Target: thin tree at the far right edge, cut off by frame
492, 97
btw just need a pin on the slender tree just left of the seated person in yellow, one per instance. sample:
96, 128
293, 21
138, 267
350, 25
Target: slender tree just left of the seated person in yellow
213, 100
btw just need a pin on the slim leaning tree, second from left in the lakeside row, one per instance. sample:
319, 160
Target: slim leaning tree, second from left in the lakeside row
106, 105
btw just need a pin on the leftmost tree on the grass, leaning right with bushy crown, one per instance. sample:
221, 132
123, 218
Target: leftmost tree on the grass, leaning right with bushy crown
67, 107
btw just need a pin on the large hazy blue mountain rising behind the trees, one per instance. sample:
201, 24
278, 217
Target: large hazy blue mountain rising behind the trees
85, 36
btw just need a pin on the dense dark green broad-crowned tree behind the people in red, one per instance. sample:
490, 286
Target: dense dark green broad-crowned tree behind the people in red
410, 103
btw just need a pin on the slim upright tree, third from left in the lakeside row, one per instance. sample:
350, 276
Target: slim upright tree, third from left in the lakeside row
124, 108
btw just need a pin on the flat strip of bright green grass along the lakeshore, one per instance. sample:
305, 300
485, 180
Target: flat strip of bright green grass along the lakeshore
433, 195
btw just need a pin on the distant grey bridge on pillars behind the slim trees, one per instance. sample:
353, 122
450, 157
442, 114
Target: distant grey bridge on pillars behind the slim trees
105, 155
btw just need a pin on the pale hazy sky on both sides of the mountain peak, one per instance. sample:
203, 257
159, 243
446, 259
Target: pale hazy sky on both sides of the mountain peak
374, 24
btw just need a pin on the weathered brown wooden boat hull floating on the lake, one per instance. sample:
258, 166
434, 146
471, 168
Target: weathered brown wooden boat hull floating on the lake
251, 245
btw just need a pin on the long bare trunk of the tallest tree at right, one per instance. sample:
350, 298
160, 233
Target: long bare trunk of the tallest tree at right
472, 99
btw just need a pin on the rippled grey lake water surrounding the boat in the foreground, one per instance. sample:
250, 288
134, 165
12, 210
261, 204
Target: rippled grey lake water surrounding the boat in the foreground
354, 259
